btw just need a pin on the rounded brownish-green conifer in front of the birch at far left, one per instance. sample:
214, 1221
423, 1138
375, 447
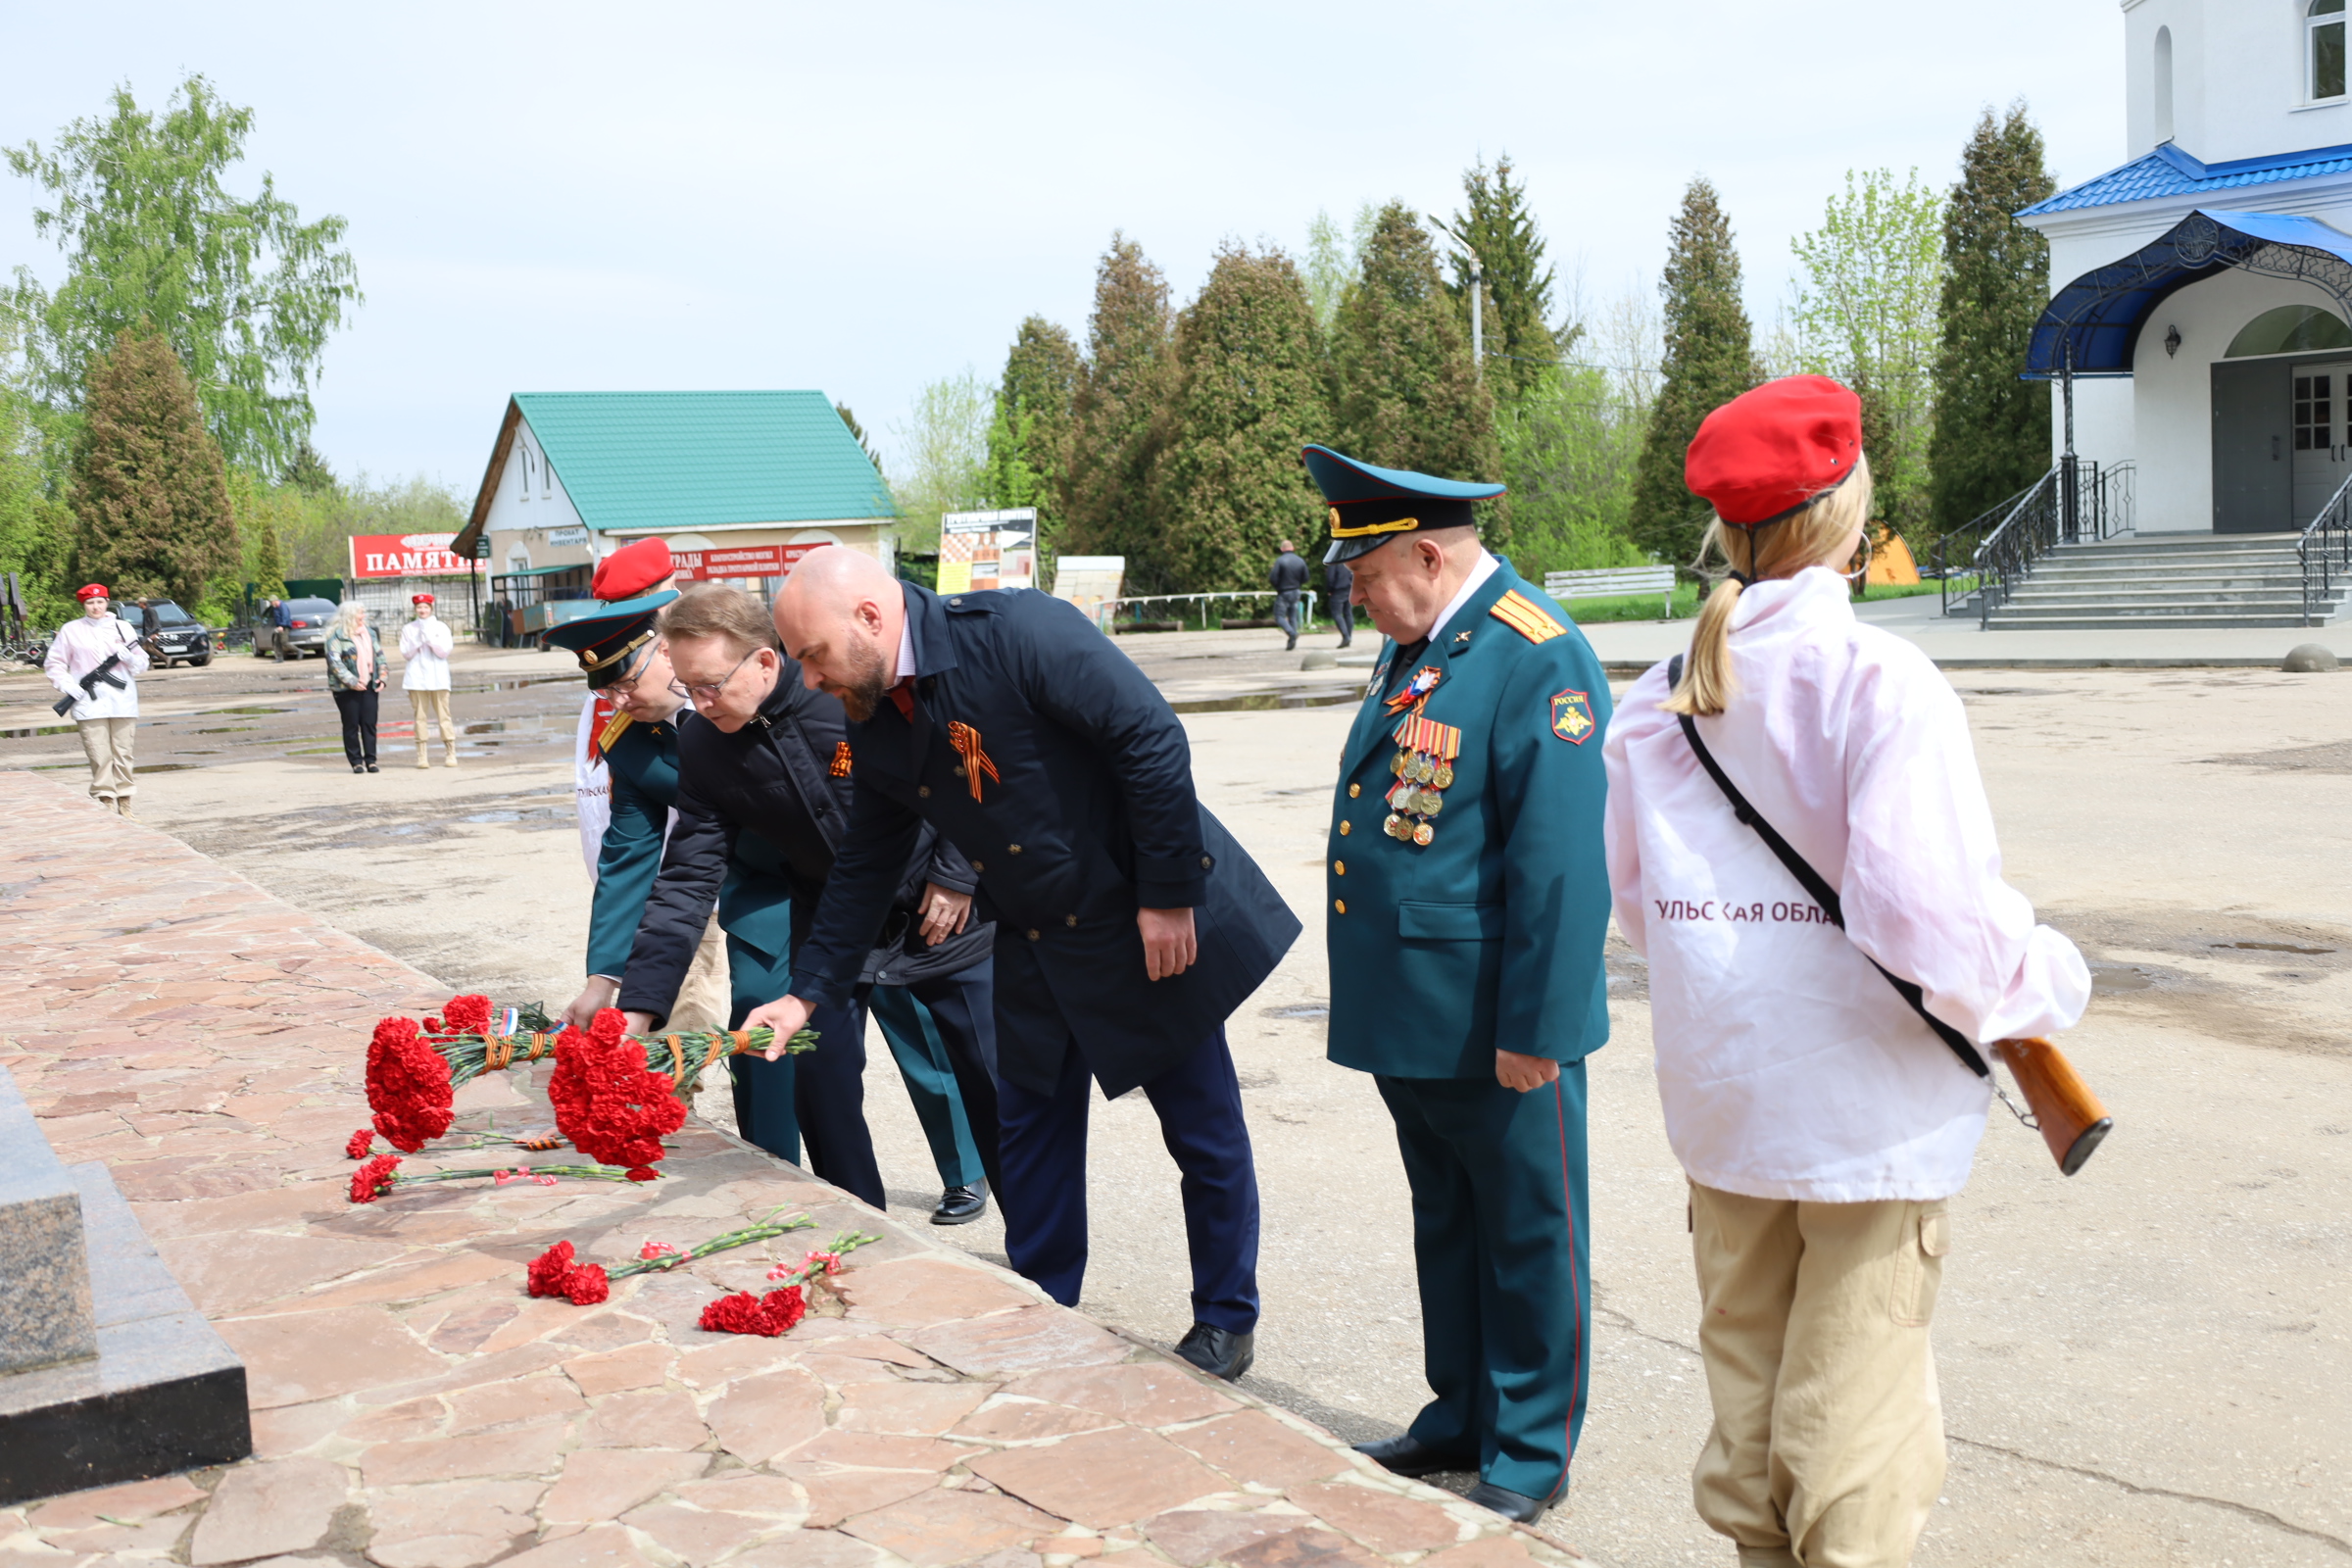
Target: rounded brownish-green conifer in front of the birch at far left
149, 483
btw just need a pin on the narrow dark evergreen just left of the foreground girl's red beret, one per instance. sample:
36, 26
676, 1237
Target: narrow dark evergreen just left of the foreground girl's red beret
1709, 363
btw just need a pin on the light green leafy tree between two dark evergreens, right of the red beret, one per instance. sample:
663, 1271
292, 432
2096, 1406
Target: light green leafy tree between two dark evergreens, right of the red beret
1866, 314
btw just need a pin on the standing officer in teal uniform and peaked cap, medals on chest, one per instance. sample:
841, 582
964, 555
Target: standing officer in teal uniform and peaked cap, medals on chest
1466, 911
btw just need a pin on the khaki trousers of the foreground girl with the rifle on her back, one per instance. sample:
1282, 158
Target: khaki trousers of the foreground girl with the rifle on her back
1829, 1430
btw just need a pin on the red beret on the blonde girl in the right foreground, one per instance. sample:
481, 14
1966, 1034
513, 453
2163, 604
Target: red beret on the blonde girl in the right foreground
1770, 453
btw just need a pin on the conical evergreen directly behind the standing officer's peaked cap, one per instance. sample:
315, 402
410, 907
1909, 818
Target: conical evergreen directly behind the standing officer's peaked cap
1403, 387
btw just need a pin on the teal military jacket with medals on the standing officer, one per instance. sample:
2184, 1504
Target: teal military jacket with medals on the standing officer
1492, 934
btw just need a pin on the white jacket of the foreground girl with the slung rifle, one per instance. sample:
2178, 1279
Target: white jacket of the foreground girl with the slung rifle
1789, 1066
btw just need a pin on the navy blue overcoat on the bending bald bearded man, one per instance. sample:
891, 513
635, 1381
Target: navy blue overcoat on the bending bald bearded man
1057, 768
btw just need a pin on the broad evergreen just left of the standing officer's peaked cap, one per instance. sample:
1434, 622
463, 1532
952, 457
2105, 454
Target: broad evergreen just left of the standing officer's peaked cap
1248, 396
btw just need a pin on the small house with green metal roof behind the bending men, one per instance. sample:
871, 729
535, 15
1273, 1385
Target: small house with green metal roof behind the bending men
737, 483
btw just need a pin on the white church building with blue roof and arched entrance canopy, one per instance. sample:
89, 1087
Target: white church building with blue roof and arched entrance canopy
2203, 293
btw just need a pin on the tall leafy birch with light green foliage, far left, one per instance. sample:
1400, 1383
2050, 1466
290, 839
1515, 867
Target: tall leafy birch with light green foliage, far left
241, 288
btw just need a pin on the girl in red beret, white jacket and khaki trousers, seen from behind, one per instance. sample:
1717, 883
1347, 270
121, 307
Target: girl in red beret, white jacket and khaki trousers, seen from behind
1822, 1123
